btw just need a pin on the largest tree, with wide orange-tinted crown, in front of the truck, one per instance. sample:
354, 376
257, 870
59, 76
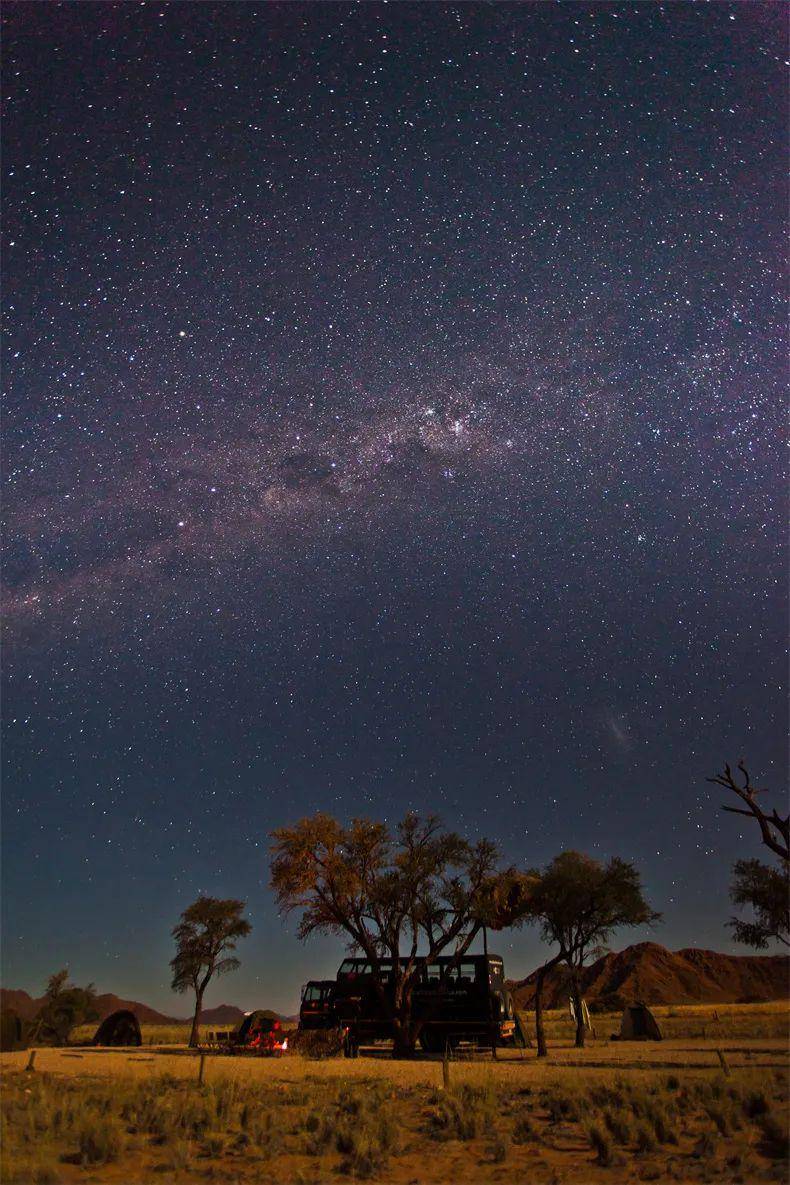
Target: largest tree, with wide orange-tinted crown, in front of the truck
388, 895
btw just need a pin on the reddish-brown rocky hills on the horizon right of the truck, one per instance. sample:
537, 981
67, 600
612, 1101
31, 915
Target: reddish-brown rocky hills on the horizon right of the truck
652, 973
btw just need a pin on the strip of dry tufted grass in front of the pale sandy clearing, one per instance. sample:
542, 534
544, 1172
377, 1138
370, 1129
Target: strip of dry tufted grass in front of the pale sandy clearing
657, 1128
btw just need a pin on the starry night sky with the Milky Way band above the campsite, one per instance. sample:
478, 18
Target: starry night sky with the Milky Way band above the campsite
394, 419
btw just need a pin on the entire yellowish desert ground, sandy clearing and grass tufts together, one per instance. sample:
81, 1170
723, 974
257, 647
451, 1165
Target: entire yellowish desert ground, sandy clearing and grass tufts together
709, 1104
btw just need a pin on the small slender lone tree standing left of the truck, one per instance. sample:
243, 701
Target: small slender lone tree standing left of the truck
209, 930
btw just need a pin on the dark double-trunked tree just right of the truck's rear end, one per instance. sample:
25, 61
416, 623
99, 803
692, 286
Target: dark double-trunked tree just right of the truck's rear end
579, 902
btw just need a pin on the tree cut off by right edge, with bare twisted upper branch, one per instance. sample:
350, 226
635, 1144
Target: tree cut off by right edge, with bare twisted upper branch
765, 888
